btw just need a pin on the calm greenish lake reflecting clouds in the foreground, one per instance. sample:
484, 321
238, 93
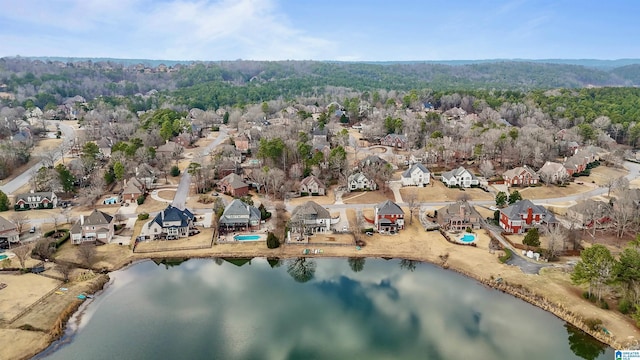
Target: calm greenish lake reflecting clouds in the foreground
312, 309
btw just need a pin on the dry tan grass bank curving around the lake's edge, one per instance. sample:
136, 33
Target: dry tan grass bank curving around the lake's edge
513, 279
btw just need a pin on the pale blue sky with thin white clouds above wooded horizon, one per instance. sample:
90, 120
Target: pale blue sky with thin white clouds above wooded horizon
347, 30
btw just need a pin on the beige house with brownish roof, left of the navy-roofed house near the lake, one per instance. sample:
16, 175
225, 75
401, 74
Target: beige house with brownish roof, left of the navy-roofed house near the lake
97, 227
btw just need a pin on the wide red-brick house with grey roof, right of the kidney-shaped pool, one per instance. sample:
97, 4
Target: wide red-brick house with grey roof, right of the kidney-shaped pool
524, 215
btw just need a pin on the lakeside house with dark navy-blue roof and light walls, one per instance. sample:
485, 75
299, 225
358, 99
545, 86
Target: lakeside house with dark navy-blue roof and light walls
171, 223
